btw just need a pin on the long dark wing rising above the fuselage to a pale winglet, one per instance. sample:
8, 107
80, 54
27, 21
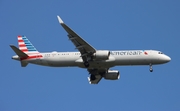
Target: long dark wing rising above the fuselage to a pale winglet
85, 49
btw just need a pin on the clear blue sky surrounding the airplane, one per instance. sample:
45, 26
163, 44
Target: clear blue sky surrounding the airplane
105, 24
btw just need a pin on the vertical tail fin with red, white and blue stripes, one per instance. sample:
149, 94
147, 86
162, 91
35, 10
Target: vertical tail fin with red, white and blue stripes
25, 45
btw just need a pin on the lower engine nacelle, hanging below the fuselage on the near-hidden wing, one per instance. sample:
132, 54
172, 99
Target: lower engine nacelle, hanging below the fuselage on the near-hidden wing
112, 75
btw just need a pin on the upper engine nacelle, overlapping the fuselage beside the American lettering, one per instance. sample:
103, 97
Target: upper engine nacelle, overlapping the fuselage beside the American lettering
101, 55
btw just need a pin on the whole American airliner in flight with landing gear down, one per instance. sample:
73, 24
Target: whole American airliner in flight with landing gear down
97, 62
